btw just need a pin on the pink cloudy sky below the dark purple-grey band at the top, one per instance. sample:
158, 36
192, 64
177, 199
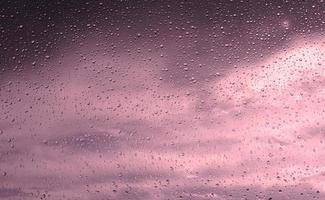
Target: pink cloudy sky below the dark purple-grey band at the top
89, 128
